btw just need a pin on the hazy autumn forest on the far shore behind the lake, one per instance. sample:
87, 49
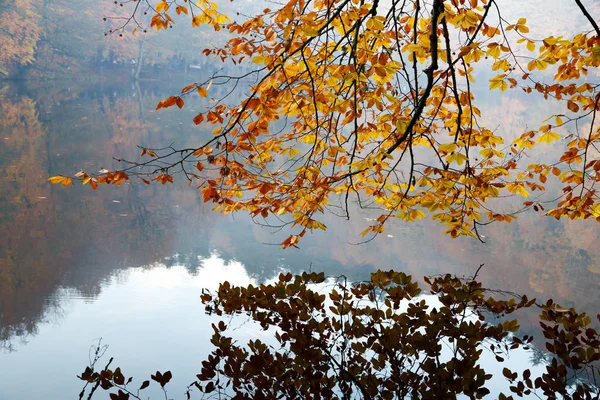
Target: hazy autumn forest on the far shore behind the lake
61, 39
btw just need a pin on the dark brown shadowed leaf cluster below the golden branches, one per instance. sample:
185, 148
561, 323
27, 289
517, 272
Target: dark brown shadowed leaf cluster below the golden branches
382, 339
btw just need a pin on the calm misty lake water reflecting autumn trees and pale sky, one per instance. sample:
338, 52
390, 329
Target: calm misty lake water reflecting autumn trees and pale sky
128, 263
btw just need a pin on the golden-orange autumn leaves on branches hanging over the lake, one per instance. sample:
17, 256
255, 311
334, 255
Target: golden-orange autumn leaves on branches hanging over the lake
381, 106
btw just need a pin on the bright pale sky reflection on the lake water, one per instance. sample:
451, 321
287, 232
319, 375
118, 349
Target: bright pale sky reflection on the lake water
152, 317
